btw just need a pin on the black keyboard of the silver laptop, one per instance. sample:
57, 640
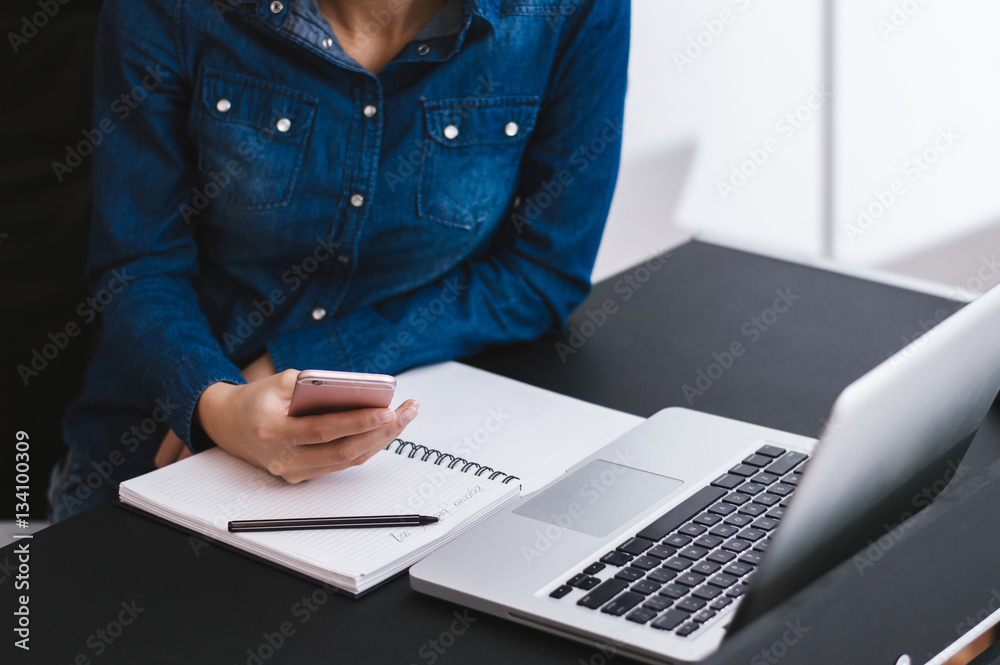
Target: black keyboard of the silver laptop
692, 563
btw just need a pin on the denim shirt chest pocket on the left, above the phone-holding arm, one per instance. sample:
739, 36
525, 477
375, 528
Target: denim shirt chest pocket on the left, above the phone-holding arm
252, 136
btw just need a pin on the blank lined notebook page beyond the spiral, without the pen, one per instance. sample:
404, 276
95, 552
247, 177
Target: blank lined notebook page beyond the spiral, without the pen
522, 430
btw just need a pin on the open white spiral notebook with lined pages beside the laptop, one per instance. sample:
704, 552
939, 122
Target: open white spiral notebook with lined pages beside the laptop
481, 439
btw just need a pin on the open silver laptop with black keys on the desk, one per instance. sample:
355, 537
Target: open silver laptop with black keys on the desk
691, 525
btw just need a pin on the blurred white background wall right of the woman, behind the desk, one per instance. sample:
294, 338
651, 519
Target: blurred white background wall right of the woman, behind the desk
863, 131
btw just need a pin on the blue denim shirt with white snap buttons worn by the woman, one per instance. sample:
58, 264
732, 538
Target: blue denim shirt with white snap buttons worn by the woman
256, 190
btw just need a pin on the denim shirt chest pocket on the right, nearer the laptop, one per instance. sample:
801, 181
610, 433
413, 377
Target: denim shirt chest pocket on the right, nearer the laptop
471, 157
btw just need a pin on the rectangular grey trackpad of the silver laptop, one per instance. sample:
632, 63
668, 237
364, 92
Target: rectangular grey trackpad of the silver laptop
598, 498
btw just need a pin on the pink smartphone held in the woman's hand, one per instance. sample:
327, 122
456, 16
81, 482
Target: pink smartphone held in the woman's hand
318, 391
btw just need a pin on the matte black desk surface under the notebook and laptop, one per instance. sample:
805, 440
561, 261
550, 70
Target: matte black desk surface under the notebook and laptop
184, 602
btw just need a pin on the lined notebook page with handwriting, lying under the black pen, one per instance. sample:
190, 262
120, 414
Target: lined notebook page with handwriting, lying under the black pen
206, 491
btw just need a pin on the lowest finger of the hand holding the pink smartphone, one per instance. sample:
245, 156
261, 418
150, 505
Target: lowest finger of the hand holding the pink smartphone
317, 459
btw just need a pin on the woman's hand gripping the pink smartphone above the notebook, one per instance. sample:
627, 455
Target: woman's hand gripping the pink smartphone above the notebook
251, 421
